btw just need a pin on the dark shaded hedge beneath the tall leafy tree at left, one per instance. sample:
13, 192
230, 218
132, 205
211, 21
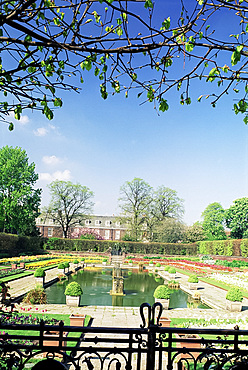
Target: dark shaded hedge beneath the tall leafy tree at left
14, 245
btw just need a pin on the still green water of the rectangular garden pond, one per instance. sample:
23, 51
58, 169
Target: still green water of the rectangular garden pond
96, 285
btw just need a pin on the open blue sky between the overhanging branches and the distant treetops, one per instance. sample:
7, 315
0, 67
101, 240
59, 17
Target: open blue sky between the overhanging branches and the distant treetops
200, 152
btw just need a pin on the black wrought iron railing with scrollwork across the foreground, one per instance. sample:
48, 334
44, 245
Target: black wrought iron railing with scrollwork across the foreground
148, 347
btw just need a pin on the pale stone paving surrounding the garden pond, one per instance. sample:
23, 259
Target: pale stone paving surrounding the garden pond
108, 316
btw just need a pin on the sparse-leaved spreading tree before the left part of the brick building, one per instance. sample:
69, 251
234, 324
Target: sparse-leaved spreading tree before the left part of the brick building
69, 204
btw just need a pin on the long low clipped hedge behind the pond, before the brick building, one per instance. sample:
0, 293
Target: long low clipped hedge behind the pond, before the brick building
129, 247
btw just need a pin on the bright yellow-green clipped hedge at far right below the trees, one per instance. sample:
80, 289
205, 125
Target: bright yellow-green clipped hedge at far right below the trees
231, 247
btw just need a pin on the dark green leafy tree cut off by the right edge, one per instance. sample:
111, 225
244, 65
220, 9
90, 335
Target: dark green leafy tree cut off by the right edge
237, 218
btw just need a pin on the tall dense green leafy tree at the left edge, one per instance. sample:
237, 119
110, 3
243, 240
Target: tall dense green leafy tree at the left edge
19, 200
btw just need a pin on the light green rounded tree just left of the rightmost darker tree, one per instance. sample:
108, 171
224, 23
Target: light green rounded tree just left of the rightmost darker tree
213, 221
